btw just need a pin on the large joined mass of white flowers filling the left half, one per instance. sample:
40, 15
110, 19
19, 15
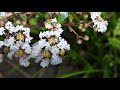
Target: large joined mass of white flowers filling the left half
49, 49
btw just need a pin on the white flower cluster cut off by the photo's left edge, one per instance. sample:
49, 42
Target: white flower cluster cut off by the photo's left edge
16, 42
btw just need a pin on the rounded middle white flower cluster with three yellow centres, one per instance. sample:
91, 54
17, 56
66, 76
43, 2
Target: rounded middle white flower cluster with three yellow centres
50, 48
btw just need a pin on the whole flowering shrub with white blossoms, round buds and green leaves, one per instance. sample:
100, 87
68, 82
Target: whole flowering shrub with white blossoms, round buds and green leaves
37, 36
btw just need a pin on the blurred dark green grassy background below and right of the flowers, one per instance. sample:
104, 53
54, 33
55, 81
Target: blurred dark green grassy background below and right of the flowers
97, 58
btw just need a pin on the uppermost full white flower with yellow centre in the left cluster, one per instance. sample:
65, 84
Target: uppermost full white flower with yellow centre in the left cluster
19, 32
